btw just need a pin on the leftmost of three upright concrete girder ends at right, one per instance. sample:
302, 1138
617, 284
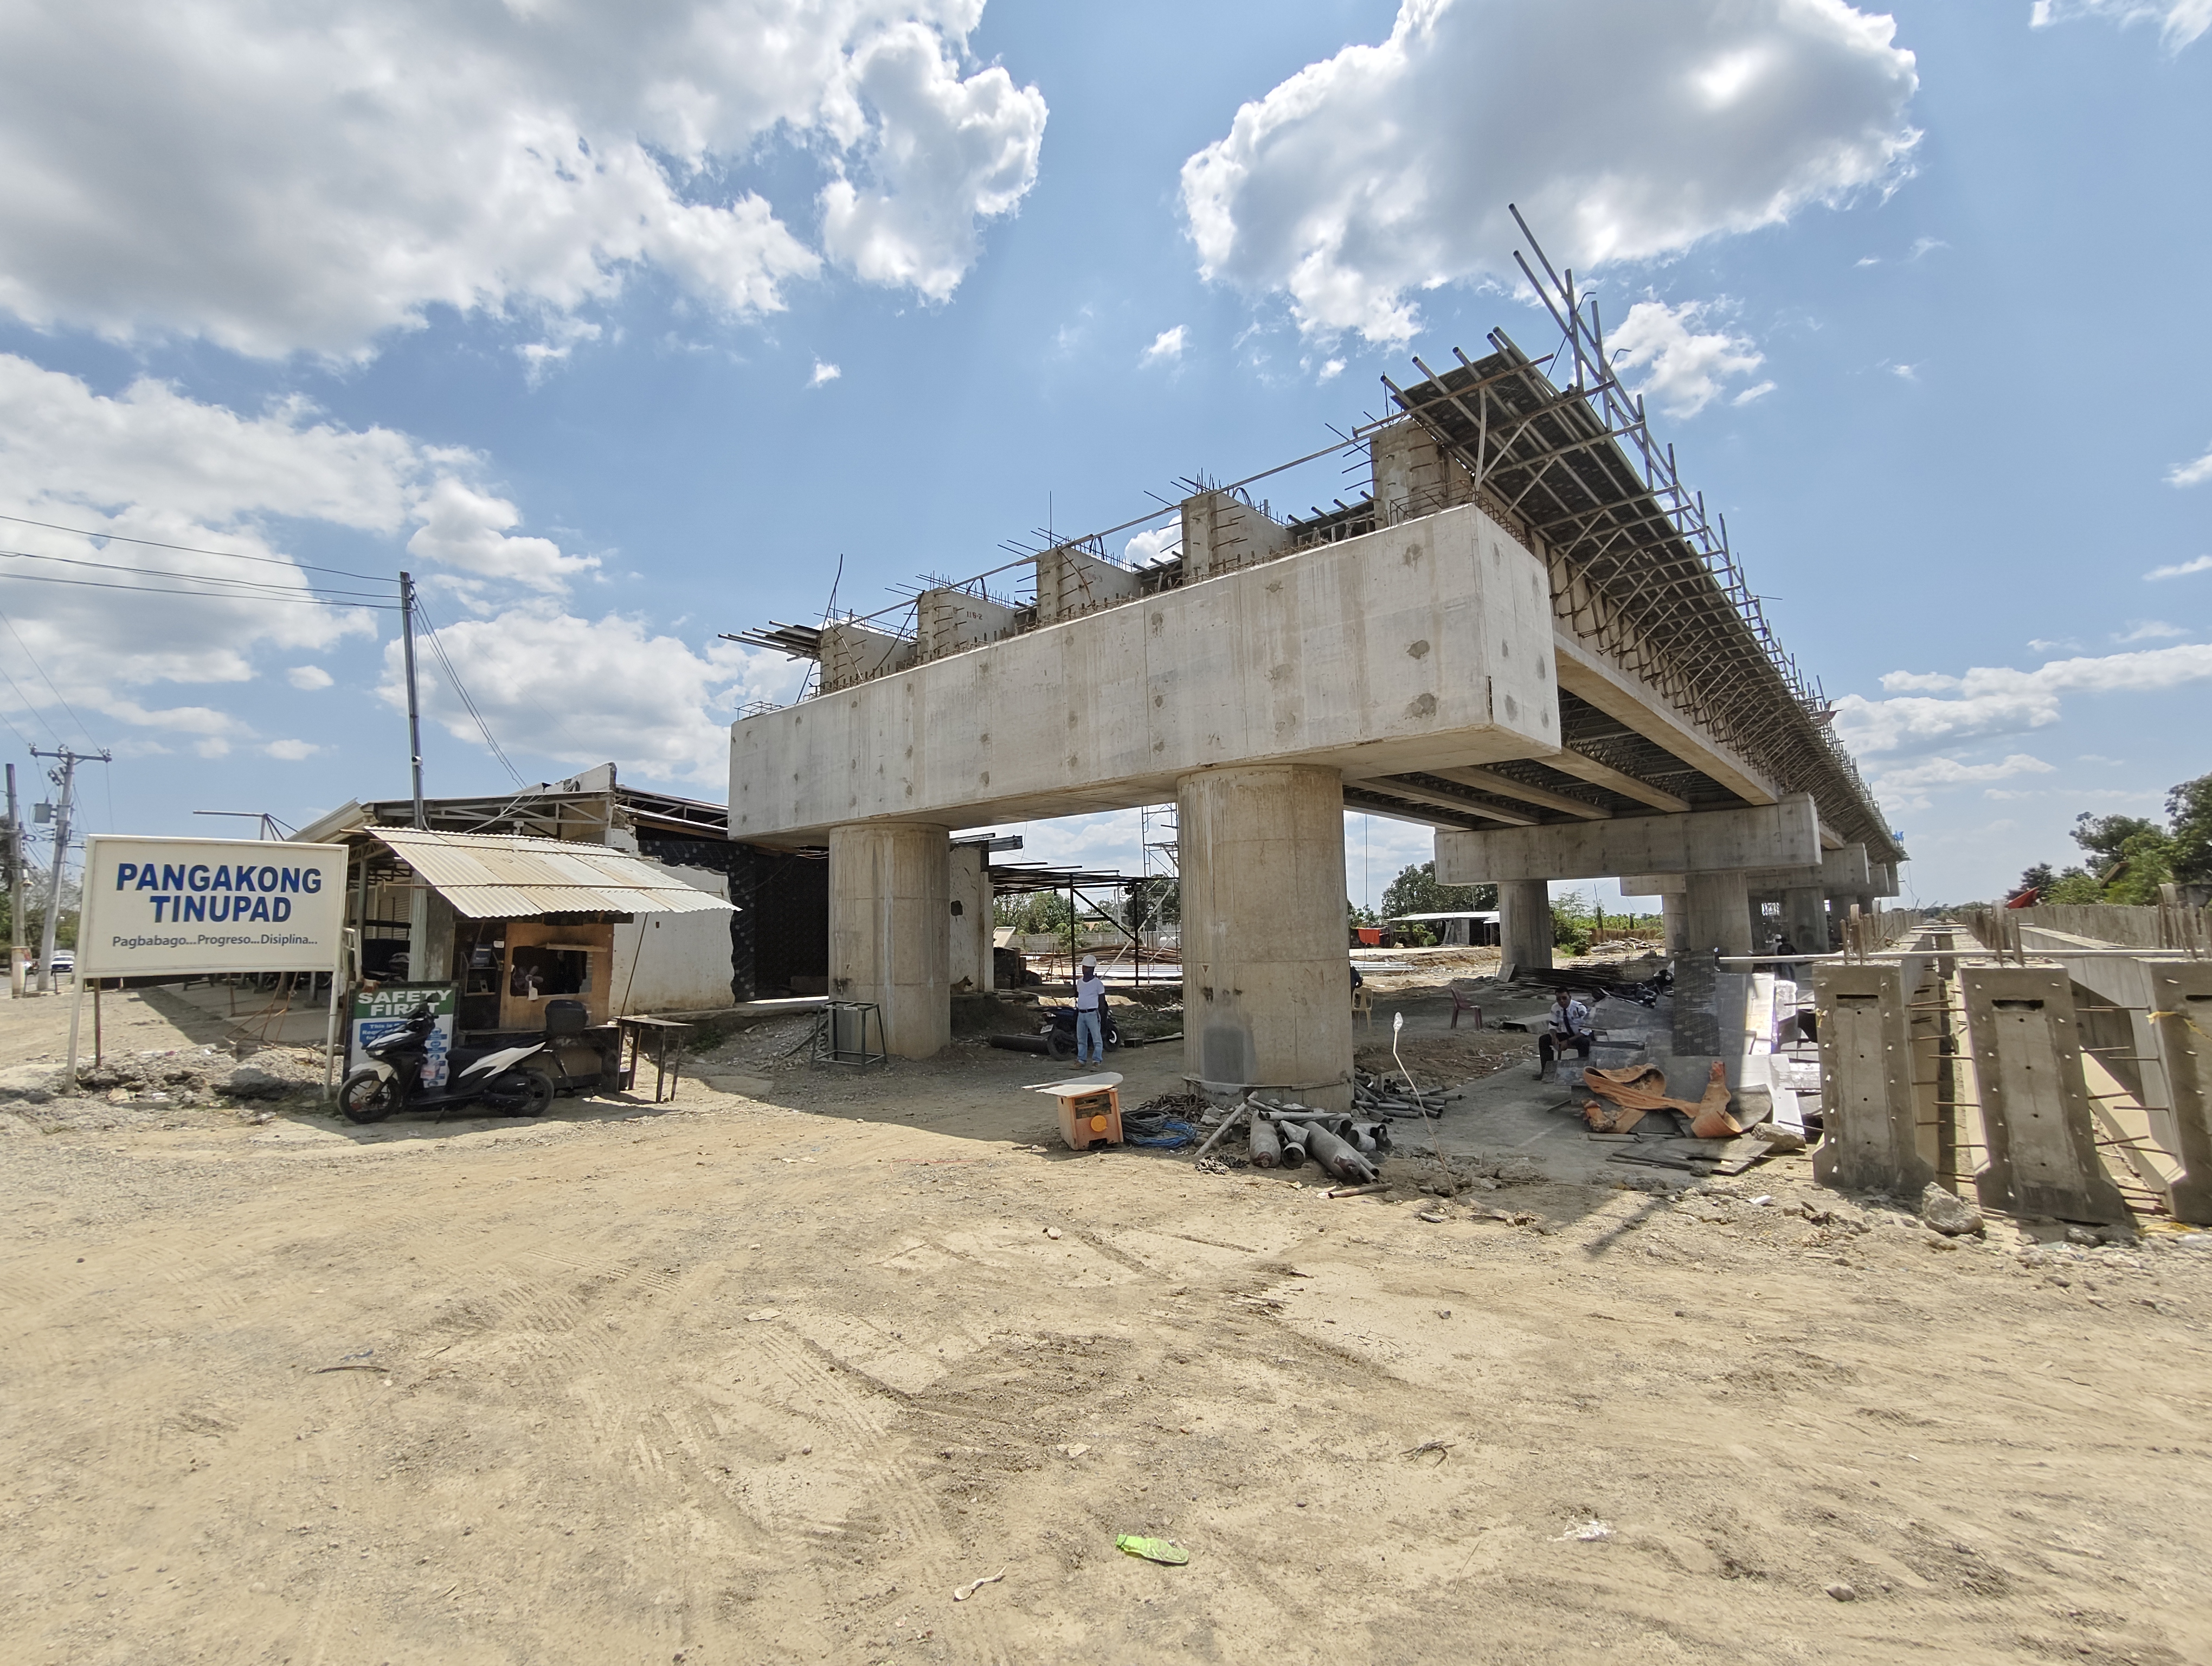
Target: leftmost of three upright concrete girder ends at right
1868, 1107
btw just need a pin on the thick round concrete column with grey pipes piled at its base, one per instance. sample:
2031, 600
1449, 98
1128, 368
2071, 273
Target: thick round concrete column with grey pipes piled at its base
1266, 977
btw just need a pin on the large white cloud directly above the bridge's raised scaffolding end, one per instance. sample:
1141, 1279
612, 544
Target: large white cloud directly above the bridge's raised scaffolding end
1623, 129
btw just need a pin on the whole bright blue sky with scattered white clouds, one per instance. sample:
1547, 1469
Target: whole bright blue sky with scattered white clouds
623, 337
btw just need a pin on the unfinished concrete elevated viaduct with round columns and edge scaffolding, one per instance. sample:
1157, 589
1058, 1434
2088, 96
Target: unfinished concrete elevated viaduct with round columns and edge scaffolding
1525, 634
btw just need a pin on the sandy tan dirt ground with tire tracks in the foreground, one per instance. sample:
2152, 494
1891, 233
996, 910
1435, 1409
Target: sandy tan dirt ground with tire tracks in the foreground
773, 1377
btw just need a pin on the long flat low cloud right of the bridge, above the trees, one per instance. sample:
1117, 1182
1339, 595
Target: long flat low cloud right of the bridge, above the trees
1999, 700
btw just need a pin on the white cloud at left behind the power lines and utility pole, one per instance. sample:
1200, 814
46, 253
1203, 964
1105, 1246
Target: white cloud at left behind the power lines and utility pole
213, 583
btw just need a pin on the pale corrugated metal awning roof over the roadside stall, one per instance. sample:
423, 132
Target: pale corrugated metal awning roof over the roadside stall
508, 877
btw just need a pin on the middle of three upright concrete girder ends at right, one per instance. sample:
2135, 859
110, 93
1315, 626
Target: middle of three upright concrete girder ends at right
2036, 1114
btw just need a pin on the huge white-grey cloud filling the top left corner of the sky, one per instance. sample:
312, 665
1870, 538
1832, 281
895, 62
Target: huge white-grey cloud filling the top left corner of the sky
313, 176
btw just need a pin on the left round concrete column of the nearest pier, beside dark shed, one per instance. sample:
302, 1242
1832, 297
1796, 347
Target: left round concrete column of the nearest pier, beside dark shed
890, 944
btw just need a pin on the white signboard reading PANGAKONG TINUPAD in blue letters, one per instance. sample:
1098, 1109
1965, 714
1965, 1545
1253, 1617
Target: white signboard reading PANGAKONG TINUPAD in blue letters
158, 908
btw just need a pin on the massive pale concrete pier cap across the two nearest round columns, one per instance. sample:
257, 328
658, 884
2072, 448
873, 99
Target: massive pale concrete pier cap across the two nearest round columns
1423, 645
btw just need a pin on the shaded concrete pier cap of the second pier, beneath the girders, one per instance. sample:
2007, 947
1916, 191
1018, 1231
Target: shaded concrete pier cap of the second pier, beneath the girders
1771, 835
